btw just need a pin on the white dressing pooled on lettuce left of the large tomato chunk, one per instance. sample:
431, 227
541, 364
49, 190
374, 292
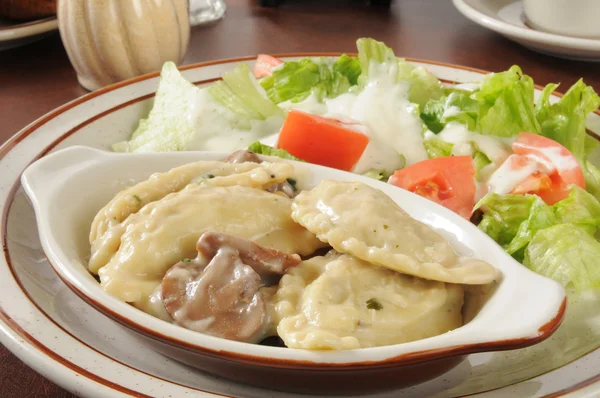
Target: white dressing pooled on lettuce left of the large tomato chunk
217, 129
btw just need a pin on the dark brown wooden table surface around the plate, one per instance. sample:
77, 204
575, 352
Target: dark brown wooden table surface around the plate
37, 78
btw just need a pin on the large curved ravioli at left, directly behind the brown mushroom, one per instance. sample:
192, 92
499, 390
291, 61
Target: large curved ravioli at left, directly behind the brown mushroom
162, 233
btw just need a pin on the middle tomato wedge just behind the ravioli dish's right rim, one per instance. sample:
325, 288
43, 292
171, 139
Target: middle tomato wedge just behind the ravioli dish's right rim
449, 181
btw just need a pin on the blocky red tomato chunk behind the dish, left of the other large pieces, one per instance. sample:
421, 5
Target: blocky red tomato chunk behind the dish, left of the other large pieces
321, 140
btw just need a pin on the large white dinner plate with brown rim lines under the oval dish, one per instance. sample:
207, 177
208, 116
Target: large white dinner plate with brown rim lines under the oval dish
64, 339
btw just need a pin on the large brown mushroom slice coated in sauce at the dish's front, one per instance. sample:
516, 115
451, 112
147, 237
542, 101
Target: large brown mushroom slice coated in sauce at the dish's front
219, 292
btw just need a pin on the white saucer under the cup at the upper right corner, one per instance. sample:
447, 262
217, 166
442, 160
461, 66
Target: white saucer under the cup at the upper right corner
506, 17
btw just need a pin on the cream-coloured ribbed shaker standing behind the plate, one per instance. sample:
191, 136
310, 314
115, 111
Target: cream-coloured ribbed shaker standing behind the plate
112, 40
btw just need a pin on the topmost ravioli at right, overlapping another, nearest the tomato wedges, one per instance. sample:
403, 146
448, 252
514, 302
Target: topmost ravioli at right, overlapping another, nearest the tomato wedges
357, 219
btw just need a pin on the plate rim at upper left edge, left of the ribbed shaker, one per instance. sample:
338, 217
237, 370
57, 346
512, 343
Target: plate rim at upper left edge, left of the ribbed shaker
14, 34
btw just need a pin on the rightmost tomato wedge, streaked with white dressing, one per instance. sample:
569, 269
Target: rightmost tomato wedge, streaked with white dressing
558, 168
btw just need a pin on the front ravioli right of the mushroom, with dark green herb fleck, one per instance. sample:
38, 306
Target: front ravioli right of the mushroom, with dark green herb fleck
339, 302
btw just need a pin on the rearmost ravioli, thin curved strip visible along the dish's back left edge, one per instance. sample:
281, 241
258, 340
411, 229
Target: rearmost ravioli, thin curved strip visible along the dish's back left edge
159, 185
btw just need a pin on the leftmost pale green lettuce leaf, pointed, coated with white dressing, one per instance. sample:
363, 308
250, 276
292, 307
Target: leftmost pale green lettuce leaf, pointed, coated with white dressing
186, 117
